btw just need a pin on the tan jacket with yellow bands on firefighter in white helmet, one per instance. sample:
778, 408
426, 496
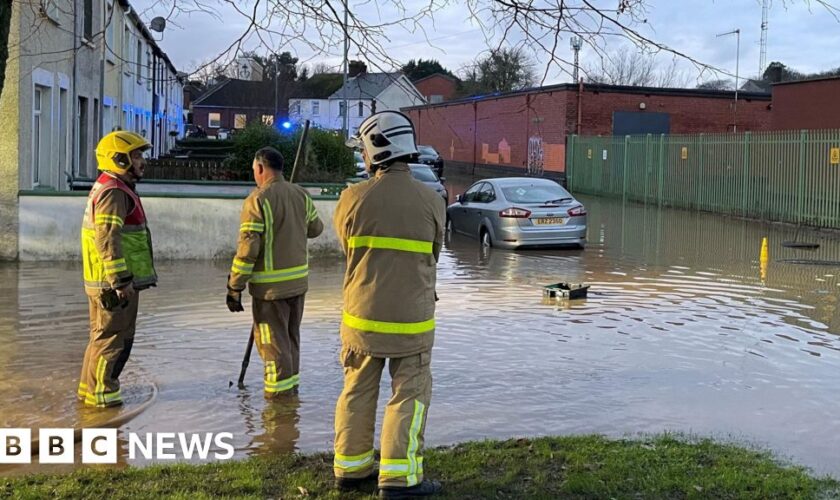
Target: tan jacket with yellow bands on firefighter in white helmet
391, 228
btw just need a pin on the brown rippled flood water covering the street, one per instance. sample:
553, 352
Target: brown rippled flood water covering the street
684, 330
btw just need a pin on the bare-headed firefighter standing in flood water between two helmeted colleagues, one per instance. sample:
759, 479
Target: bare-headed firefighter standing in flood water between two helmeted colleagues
272, 258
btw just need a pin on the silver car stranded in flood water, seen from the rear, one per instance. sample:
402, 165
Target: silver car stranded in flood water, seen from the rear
517, 212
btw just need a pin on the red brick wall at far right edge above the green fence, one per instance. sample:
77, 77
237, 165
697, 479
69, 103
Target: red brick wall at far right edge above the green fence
806, 105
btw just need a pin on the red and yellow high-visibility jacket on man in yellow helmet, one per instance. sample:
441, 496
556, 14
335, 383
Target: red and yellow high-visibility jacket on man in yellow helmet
116, 243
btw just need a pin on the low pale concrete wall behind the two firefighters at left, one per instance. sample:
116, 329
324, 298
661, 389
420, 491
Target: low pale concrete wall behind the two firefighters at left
182, 228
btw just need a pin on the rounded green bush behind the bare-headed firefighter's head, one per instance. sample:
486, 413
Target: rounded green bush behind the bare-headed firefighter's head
327, 159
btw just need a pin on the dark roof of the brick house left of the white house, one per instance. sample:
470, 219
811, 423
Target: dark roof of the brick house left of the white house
234, 93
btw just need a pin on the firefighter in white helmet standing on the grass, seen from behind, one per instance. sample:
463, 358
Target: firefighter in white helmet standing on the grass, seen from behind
391, 228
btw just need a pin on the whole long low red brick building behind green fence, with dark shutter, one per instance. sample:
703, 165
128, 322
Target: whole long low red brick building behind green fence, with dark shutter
504, 133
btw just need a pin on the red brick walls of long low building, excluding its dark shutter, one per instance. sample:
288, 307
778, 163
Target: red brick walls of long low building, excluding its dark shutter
552, 116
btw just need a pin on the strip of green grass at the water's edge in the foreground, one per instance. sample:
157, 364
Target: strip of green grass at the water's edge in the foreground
661, 467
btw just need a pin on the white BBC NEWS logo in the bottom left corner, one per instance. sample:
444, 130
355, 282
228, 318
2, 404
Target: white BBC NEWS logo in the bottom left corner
99, 446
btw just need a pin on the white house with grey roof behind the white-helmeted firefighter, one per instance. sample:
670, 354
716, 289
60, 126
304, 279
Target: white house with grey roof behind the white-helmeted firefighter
365, 93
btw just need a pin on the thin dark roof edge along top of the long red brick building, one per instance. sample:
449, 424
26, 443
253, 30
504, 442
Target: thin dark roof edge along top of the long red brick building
598, 87
